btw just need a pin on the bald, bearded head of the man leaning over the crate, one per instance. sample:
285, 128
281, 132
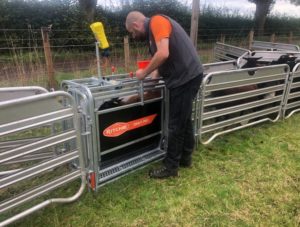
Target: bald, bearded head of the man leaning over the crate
135, 25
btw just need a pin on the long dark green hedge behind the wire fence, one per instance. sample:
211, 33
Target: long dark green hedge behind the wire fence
21, 21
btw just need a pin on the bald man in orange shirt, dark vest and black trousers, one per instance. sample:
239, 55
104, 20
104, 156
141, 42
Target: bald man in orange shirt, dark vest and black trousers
176, 60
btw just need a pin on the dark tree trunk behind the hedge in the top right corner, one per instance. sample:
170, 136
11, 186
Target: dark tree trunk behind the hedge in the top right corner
263, 8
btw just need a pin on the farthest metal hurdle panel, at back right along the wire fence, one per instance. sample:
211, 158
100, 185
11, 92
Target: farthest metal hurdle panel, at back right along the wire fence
260, 45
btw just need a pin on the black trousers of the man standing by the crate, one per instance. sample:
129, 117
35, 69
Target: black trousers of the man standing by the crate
181, 139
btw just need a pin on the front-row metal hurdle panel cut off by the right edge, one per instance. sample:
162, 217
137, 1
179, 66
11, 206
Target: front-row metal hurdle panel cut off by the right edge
292, 100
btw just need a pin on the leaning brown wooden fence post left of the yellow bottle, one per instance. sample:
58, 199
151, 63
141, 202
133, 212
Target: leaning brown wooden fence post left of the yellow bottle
48, 56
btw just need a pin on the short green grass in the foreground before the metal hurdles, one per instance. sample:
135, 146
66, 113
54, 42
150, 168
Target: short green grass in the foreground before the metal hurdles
247, 178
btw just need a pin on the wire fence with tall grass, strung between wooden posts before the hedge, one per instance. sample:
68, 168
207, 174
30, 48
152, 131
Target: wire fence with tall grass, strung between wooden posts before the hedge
23, 61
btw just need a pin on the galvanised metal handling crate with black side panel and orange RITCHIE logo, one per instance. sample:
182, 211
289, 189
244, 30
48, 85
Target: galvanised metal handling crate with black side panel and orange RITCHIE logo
114, 146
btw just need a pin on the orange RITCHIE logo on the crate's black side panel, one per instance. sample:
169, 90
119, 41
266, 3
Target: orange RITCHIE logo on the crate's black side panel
120, 128
